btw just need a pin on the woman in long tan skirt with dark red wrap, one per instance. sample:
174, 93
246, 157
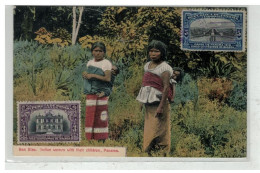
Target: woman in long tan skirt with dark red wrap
155, 95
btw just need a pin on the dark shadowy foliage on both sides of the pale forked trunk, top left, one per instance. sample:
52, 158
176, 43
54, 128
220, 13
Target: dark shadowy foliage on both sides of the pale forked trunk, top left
29, 19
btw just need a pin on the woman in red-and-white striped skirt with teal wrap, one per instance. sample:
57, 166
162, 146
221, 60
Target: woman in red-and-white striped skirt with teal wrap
97, 88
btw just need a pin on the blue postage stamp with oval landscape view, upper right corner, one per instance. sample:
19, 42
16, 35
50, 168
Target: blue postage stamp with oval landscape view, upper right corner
213, 30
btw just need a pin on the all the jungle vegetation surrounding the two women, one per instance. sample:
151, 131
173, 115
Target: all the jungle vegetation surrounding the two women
52, 46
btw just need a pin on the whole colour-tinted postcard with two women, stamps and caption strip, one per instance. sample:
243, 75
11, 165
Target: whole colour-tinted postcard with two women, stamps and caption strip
121, 81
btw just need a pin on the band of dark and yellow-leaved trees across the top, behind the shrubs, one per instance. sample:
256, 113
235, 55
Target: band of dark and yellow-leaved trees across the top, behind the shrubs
126, 31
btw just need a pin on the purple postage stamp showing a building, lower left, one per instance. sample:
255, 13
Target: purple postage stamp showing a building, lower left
53, 121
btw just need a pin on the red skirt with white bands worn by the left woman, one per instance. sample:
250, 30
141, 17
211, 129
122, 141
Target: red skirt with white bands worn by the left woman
96, 123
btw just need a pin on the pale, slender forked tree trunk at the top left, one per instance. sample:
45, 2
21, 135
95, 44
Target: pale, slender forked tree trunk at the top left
76, 25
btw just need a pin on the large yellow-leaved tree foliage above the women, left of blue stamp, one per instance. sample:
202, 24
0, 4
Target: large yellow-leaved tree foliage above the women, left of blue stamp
132, 28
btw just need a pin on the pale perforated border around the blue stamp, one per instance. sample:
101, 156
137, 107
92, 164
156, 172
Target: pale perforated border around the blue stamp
202, 9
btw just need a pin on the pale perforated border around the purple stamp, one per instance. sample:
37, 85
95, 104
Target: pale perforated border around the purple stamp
46, 102
